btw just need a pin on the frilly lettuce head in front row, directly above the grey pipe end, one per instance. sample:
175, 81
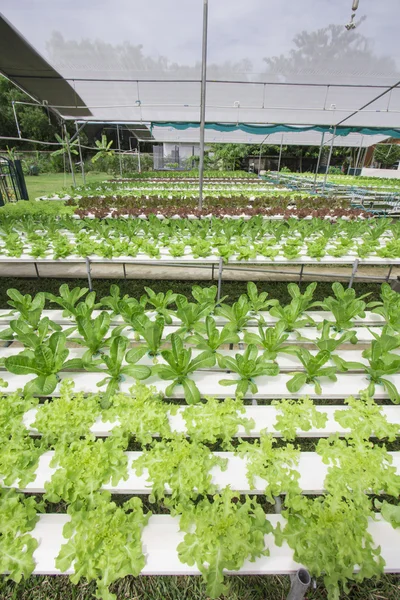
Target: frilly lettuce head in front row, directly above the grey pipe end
316, 529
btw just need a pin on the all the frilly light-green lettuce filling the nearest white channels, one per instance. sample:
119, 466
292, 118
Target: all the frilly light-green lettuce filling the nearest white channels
221, 529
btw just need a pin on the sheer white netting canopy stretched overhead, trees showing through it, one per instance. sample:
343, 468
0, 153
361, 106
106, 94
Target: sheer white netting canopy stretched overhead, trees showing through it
268, 62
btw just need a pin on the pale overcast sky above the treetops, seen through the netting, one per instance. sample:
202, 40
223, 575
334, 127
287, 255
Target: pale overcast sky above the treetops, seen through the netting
238, 29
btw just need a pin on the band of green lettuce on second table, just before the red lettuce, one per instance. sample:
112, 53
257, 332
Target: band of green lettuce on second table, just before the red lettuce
242, 239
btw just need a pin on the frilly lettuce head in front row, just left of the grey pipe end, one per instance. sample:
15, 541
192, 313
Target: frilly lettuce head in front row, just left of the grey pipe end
222, 534
